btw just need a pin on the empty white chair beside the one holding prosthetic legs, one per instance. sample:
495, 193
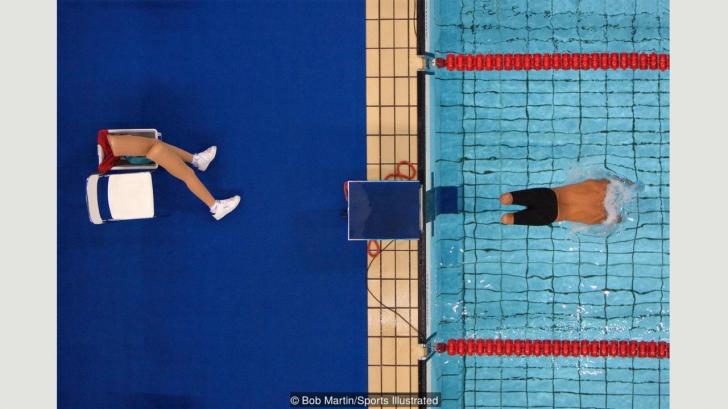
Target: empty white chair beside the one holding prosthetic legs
129, 196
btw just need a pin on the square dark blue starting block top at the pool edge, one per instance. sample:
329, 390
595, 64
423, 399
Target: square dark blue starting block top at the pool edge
384, 210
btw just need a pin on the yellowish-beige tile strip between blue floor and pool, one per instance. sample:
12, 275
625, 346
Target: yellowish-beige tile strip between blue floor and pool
391, 82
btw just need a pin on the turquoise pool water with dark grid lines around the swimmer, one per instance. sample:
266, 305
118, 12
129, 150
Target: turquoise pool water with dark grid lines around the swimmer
498, 131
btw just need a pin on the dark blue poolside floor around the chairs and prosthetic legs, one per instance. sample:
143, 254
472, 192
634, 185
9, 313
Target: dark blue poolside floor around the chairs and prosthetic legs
183, 311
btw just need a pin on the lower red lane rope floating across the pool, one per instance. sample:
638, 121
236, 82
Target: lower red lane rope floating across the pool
556, 347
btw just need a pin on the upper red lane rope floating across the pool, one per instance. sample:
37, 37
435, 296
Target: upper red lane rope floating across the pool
555, 61
